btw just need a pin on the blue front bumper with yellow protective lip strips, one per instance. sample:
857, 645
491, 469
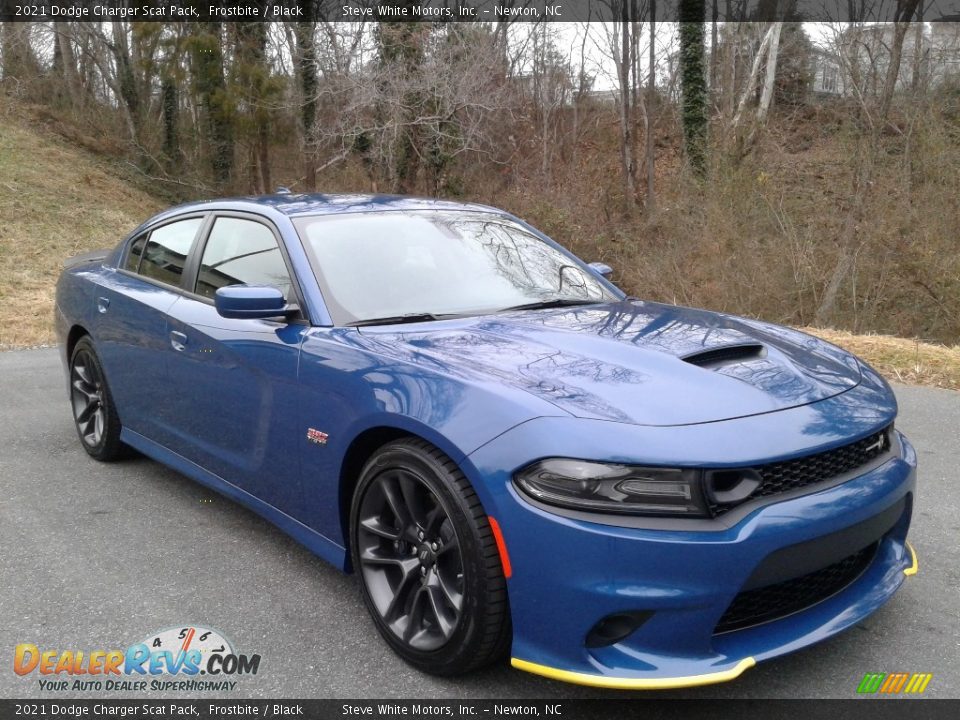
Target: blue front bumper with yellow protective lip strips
568, 574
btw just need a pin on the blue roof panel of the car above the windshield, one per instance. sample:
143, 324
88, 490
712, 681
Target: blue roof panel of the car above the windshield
294, 204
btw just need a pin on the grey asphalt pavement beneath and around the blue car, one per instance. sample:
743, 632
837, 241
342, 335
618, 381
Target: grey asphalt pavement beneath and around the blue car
99, 556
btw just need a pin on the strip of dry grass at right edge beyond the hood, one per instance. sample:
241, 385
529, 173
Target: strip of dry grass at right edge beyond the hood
900, 359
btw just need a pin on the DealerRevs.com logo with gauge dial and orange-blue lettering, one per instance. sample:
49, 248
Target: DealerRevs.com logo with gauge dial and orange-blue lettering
187, 658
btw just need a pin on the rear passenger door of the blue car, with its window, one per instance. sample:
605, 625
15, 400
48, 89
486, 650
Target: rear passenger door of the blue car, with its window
131, 328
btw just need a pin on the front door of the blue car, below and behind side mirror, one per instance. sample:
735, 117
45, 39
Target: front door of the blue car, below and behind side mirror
235, 380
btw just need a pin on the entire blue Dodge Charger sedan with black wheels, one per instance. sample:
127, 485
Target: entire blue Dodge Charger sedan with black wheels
511, 454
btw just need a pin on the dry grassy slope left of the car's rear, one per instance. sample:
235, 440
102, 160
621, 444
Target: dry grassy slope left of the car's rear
55, 201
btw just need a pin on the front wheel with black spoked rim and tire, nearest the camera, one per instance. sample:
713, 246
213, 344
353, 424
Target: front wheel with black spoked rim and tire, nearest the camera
429, 569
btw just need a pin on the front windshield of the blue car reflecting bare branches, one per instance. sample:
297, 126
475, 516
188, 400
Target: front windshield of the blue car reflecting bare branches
387, 265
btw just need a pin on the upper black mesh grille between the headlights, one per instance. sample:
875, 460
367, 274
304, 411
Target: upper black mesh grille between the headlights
781, 477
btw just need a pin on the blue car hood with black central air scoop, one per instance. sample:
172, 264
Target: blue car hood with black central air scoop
631, 361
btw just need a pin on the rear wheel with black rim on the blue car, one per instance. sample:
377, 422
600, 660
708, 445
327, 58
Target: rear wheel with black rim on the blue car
94, 413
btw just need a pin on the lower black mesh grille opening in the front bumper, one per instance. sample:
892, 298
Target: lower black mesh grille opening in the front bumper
773, 602
